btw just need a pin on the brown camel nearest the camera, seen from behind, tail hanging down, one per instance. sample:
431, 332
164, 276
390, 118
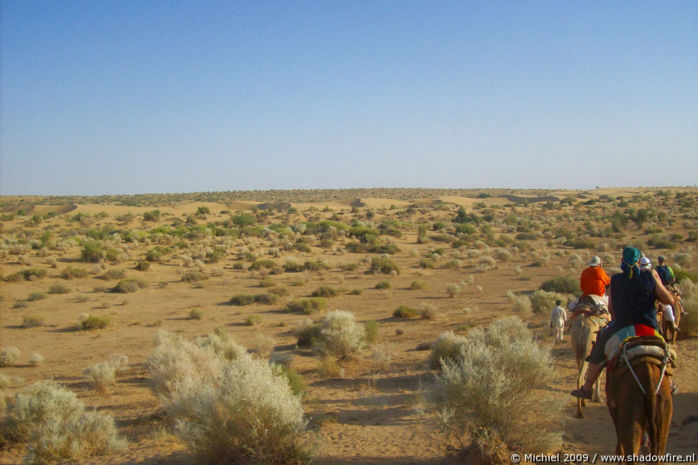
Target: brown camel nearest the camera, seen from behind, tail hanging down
635, 412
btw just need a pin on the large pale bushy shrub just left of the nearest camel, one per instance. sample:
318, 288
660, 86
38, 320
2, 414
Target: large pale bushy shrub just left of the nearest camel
496, 391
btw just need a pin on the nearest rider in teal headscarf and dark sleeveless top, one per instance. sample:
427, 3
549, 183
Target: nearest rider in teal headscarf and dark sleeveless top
632, 295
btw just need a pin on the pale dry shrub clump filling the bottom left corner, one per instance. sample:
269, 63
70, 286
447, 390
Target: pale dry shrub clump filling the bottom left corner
57, 426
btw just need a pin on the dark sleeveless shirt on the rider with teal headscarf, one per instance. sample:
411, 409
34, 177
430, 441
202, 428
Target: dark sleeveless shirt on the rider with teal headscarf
633, 299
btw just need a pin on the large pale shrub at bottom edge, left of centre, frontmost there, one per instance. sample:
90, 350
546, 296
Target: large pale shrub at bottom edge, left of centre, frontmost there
246, 413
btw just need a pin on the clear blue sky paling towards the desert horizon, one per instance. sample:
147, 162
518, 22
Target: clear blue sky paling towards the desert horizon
128, 97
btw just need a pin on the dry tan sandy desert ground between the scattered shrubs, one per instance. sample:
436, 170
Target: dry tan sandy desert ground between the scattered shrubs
365, 415
